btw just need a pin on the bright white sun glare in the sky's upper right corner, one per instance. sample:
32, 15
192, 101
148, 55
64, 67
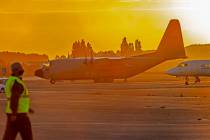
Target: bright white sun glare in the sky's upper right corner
195, 15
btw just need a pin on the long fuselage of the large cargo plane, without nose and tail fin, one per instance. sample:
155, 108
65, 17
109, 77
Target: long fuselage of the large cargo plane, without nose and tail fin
103, 68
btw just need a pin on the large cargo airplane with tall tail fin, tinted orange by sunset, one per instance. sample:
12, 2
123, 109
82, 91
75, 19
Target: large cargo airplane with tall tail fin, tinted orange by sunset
105, 70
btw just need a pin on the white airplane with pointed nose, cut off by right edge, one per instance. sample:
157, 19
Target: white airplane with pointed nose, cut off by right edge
193, 68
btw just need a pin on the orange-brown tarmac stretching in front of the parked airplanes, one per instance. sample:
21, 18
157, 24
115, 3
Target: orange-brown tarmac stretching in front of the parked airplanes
147, 107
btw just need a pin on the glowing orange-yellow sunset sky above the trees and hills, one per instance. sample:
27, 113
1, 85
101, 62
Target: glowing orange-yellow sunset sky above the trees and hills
51, 26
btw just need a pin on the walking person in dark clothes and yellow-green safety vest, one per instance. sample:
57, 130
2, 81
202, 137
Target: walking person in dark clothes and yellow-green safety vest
17, 106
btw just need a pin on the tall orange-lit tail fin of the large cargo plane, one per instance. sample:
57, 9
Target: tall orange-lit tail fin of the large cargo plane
172, 45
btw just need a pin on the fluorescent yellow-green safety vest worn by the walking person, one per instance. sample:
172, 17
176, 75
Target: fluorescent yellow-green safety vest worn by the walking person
24, 101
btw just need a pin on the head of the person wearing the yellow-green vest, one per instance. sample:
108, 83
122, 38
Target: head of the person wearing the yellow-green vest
17, 69
